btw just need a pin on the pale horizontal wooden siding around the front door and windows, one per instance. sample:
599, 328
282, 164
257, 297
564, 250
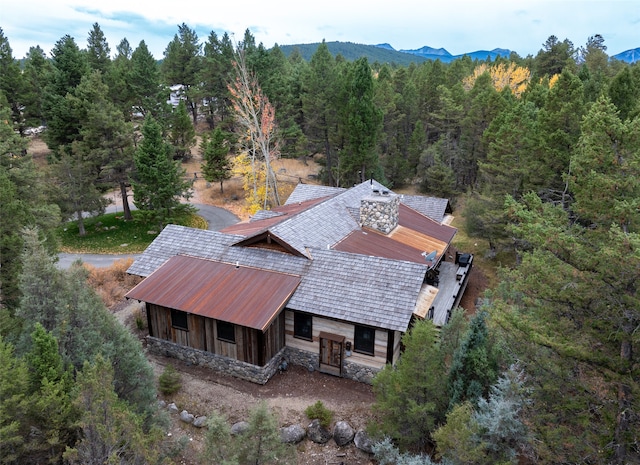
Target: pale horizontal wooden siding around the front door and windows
378, 360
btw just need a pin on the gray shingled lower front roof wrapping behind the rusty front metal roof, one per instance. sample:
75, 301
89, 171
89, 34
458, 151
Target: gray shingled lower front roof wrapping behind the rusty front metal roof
355, 288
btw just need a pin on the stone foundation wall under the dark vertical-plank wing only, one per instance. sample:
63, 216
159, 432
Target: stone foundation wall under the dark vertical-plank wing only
242, 370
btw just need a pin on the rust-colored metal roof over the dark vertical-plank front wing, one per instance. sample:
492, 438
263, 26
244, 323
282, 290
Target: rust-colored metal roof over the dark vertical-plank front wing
241, 295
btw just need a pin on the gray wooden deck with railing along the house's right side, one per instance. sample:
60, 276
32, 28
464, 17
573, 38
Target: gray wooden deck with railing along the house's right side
453, 282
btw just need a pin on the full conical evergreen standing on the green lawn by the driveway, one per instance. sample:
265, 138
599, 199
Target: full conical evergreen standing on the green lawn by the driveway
159, 181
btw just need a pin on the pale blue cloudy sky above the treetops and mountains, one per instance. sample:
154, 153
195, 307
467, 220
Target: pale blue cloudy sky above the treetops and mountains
455, 25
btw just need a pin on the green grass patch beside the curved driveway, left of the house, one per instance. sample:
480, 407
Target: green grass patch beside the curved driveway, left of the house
110, 234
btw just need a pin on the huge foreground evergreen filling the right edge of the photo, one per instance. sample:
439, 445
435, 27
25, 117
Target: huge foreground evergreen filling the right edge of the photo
576, 290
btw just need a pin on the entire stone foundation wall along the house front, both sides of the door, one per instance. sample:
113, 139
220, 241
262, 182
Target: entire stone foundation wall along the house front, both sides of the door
253, 373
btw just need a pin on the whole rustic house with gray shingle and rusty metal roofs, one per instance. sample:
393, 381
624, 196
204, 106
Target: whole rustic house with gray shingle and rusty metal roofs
331, 280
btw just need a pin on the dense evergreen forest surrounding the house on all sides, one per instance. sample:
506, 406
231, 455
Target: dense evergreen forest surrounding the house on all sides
542, 153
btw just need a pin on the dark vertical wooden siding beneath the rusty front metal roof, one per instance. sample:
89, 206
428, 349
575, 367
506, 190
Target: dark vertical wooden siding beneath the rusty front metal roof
251, 345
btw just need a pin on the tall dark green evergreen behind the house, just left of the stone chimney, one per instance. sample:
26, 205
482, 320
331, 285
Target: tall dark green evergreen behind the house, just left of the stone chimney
360, 160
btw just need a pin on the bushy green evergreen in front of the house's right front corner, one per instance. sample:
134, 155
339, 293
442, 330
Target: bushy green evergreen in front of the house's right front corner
411, 397
